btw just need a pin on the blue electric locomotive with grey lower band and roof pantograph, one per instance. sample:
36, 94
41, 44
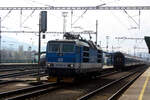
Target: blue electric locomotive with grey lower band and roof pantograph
72, 57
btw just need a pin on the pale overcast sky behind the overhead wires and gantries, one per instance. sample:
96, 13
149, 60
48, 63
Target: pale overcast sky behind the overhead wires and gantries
111, 23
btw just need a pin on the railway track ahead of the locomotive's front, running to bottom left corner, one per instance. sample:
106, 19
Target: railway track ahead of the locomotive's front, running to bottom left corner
21, 94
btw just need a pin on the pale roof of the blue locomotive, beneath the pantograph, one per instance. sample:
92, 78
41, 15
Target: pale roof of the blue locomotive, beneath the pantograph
77, 42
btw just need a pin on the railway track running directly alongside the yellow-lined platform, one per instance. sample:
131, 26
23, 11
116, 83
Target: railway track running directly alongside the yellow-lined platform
98, 93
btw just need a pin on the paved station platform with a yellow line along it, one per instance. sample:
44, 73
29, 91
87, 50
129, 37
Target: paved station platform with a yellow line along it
140, 89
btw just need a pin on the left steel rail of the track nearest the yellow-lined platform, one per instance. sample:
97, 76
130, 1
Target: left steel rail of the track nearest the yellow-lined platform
88, 95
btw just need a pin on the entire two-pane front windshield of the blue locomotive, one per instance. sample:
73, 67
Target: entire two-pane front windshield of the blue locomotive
61, 47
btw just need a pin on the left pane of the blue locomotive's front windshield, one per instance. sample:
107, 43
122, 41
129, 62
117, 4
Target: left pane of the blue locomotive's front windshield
54, 47
